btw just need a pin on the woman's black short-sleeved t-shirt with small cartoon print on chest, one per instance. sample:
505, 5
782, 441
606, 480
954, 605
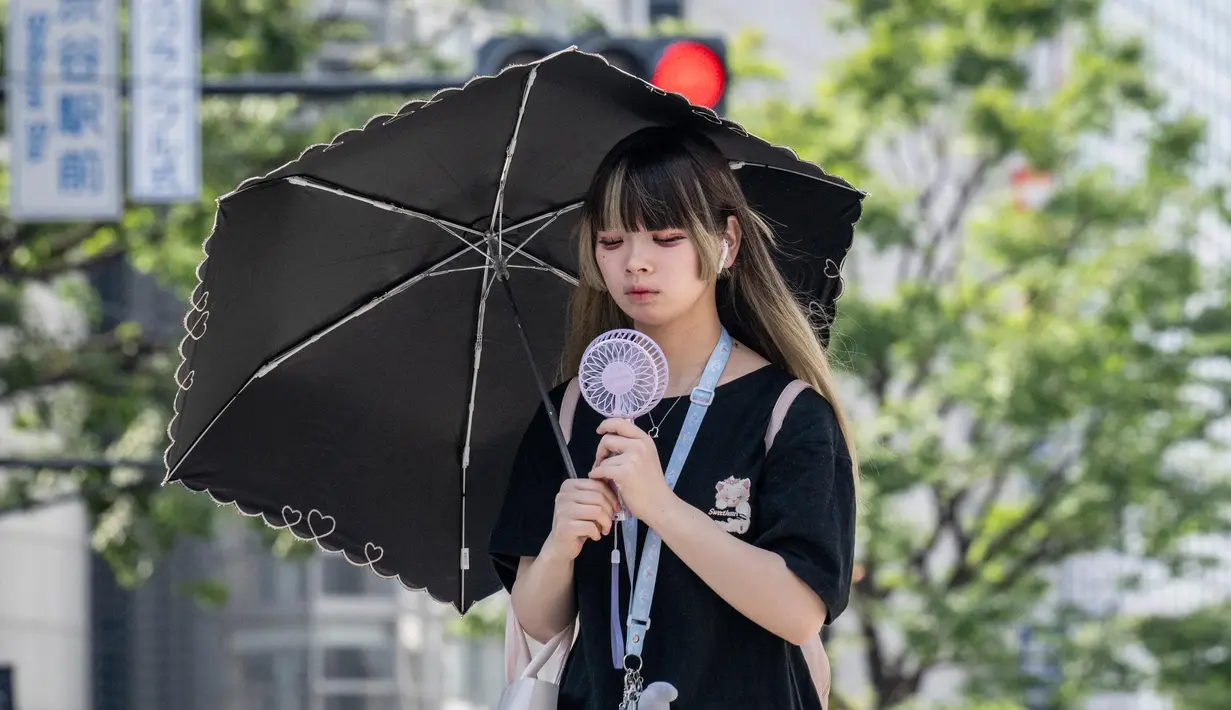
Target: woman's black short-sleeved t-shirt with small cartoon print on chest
798, 501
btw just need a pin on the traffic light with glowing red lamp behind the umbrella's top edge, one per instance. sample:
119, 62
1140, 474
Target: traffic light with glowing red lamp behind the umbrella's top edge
695, 67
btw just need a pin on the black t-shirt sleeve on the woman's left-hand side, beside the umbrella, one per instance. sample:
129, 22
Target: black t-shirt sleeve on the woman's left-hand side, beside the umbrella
525, 520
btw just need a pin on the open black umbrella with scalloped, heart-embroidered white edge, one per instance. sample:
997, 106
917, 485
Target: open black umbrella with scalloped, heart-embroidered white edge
348, 371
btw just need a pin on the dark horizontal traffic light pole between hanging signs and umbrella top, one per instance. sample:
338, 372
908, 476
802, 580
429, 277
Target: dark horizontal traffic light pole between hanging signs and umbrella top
338, 86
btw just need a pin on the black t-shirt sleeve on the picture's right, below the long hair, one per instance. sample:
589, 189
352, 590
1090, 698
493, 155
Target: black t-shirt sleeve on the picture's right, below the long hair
807, 501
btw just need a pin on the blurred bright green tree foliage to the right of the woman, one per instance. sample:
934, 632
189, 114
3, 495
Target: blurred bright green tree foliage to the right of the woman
1037, 383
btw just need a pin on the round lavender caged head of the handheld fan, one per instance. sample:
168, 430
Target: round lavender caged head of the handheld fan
624, 373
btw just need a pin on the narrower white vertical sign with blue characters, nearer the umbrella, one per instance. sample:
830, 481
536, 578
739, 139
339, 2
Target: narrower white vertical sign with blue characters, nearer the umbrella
164, 124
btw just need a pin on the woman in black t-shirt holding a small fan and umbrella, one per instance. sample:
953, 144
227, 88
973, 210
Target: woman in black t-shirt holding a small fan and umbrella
756, 547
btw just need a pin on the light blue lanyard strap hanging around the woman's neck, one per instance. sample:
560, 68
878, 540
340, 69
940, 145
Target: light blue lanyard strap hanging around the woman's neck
647, 573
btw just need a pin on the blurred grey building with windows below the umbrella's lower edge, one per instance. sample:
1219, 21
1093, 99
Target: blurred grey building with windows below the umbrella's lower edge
319, 634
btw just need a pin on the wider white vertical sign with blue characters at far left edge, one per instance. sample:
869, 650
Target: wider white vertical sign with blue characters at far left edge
63, 103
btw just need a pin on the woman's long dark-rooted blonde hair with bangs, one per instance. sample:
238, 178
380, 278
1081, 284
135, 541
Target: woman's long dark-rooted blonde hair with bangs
673, 179
